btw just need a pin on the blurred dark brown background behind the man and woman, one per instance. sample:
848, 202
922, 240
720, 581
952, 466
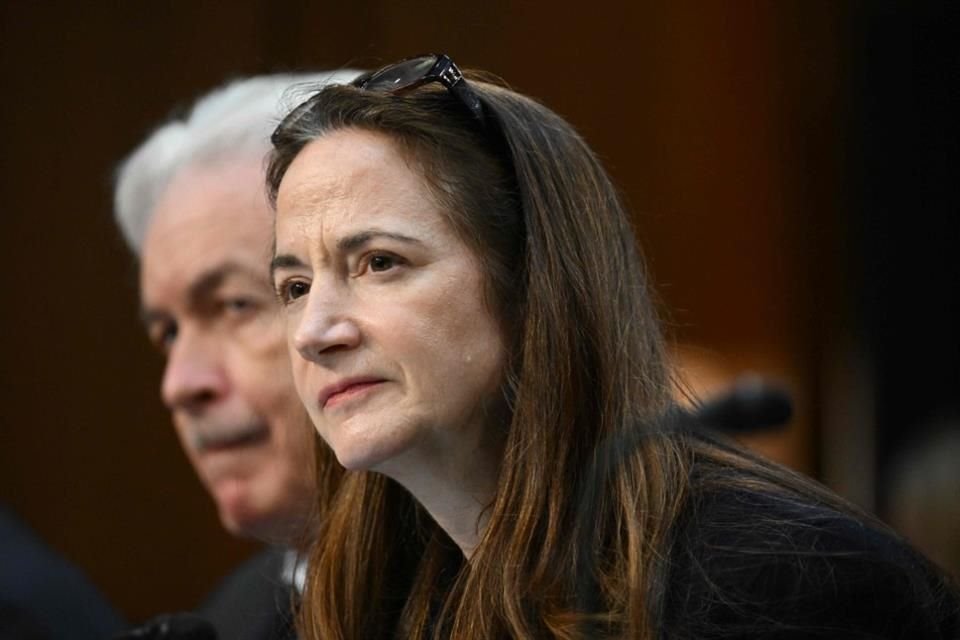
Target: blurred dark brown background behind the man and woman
791, 167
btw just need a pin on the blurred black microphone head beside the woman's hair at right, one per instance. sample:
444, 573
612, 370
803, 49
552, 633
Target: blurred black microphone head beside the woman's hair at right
751, 405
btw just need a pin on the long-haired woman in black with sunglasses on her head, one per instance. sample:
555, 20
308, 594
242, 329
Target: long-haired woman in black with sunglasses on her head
473, 335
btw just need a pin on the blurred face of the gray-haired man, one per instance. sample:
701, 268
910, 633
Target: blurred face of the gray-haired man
209, 306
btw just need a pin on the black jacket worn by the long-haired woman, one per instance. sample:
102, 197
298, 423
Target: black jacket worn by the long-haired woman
755, 565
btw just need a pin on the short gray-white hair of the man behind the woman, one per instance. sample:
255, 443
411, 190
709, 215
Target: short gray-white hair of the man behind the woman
234, 119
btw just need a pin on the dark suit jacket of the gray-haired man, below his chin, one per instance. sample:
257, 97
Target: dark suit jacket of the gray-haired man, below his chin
254, 602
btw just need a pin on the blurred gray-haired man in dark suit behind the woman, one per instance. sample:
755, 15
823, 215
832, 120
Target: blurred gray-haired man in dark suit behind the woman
192, 206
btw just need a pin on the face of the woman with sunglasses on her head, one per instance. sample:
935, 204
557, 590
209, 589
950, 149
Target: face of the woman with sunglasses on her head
395, 355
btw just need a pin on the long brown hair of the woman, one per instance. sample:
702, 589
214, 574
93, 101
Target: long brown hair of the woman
578, 531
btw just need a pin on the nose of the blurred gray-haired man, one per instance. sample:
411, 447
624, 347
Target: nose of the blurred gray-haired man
194, 376
